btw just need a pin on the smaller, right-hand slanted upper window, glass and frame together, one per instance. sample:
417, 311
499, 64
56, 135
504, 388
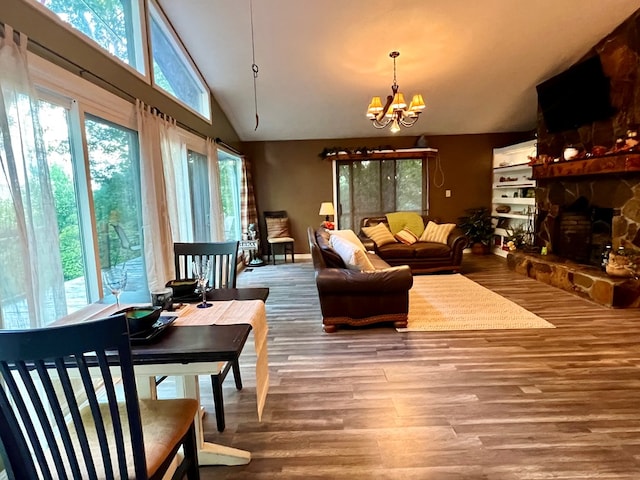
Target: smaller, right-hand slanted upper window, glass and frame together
173, 71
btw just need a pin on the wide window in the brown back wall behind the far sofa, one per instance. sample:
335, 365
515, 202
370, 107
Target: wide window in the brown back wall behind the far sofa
374, 186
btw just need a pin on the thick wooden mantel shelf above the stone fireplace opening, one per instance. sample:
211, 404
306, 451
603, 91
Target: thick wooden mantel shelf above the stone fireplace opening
625, 163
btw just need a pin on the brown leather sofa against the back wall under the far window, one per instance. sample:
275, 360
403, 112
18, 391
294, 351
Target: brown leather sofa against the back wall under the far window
422, 257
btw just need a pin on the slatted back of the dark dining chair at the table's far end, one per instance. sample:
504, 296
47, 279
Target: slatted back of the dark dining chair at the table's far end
221, 255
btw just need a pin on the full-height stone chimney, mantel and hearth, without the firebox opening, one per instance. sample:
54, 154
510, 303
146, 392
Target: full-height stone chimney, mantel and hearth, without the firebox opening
606, 181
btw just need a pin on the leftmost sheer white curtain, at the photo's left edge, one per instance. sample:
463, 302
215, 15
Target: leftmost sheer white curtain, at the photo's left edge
31, 280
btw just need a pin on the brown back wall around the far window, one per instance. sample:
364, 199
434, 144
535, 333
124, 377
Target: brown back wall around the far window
290, 175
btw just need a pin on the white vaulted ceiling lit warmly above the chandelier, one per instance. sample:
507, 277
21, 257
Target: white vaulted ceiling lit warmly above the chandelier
476, 63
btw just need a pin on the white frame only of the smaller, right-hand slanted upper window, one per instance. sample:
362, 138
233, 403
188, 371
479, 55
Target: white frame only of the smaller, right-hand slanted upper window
155, 10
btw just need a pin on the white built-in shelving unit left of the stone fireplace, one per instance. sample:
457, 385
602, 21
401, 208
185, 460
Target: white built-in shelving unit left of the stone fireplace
513, 202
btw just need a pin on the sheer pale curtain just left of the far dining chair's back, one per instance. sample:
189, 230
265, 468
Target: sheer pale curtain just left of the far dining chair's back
159, 143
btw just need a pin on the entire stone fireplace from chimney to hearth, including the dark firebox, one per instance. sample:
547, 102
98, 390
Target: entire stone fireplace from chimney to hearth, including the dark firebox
584, 203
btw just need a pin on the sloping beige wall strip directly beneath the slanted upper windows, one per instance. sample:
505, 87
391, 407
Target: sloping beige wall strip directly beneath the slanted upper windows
66, 49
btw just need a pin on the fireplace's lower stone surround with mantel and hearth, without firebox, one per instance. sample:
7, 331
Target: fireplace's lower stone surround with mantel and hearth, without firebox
607, 183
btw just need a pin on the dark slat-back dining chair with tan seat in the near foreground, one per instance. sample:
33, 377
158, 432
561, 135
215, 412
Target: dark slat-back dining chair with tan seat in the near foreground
64, 413
